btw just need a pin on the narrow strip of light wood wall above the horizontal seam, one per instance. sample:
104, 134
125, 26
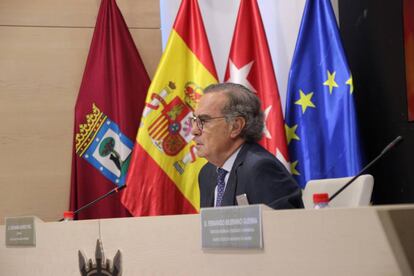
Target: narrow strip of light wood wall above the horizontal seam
75, 13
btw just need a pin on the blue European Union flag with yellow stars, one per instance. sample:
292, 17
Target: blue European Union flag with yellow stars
320, 115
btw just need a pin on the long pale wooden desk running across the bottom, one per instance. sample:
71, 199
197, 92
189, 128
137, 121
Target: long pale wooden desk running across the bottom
352, 241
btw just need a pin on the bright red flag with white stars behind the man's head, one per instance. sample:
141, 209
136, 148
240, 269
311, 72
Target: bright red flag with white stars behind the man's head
250, 64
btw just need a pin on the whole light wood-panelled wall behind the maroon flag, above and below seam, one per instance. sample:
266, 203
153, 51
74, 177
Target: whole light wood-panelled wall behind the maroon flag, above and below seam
43, 50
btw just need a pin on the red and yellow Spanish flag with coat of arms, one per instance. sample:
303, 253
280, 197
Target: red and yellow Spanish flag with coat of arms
163, 174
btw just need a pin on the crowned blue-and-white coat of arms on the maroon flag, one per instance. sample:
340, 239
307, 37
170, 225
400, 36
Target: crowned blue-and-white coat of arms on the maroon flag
102, 144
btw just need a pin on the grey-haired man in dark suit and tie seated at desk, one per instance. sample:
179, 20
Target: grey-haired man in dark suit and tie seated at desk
226, 126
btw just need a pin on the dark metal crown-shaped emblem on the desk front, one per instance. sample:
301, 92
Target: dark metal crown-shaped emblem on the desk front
101, 266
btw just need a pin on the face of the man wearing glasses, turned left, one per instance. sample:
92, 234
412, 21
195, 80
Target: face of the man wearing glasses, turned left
213, 140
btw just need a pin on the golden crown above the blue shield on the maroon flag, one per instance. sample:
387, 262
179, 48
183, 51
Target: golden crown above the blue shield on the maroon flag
87, 131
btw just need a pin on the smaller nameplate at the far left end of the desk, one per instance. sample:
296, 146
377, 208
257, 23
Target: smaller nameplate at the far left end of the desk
20, 231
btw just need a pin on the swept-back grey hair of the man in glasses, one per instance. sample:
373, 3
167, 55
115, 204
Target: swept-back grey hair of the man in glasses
241, 103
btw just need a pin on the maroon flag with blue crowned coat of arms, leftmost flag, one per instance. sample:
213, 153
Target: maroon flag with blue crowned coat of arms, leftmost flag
107, 114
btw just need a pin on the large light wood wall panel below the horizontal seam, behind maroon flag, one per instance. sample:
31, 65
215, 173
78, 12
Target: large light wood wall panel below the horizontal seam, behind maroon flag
40, 74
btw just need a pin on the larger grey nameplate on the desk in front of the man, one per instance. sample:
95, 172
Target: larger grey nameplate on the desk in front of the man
238, 227
